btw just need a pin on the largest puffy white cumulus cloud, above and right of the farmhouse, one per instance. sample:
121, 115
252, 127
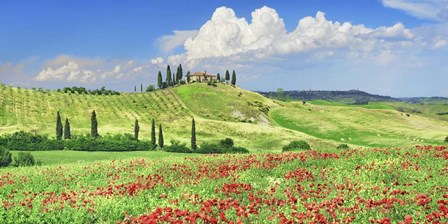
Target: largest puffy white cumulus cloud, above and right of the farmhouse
265, 37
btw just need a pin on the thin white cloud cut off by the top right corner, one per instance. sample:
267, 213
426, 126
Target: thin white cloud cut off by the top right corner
425, 9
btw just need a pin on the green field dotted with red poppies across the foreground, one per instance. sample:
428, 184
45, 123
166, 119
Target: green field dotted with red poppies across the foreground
382, 185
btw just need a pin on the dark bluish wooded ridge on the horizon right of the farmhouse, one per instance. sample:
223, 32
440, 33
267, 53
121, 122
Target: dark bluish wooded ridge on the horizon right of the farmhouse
350, 96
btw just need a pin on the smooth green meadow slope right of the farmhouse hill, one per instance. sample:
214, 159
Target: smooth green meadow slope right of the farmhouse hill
361, 126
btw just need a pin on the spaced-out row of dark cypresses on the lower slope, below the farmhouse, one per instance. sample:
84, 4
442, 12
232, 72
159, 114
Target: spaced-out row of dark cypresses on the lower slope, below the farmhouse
60, 130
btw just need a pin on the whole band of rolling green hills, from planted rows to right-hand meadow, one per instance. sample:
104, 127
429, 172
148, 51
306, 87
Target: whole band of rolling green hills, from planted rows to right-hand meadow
221, 111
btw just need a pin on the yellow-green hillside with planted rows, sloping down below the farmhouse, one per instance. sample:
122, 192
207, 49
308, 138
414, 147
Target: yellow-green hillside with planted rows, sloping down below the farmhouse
29, 110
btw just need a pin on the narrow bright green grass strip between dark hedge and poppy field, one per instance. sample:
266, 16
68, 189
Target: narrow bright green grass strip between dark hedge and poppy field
68, 157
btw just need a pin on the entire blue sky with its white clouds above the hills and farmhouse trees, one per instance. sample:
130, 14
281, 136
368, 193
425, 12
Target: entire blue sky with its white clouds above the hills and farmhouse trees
391, 47
